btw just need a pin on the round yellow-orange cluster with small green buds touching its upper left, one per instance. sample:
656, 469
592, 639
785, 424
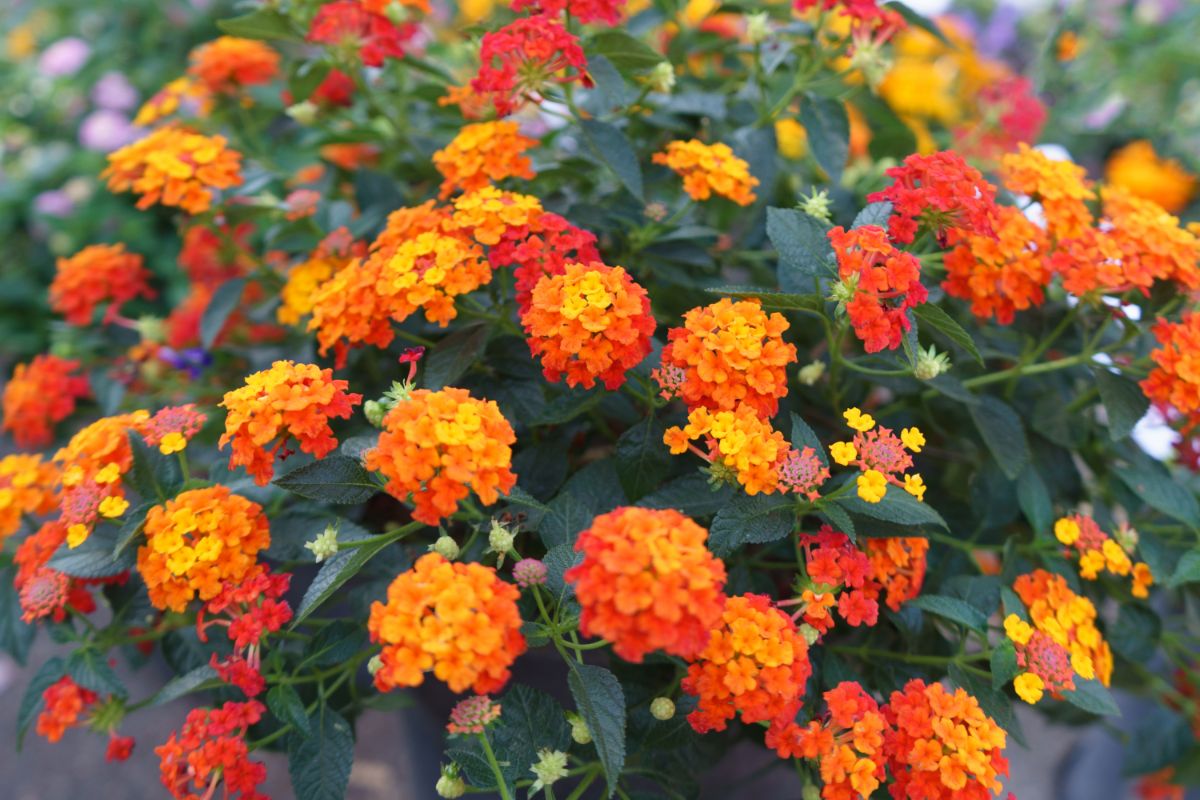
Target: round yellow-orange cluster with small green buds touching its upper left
439, 447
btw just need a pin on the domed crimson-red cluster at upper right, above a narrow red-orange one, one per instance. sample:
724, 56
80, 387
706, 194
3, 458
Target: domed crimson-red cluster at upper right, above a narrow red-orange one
941, 193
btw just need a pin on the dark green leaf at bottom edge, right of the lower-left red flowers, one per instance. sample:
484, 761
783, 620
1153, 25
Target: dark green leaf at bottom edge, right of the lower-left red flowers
320, 762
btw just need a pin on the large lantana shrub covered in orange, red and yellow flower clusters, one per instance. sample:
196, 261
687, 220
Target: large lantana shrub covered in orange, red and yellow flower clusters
652, 378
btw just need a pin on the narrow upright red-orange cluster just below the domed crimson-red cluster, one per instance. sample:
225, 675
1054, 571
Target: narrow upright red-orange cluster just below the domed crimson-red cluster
879, 286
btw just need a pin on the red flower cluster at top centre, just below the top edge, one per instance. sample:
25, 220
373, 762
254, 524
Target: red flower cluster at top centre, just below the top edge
521, 59
